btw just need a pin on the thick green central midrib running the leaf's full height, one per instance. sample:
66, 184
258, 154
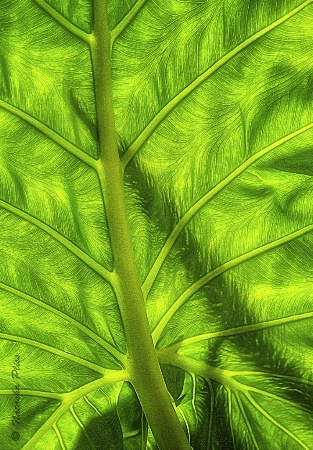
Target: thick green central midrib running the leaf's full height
144, 368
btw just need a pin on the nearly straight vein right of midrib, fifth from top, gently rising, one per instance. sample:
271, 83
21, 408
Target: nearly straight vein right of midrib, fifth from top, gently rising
240, 330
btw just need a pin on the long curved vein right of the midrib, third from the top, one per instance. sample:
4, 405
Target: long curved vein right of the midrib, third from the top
185, 219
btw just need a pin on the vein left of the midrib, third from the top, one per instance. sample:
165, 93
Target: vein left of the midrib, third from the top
69, 245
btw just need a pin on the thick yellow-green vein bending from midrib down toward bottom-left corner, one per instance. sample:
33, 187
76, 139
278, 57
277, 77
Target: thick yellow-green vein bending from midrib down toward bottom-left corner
70, 399
